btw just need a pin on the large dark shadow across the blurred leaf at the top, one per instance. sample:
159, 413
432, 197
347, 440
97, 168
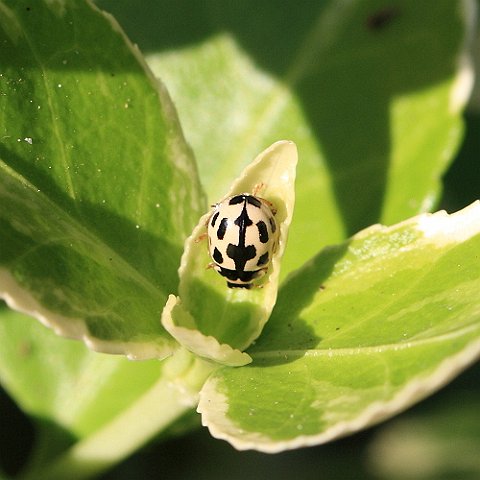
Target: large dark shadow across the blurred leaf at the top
346, 80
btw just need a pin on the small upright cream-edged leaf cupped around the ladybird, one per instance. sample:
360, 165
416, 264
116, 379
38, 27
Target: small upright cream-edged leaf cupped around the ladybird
234, 317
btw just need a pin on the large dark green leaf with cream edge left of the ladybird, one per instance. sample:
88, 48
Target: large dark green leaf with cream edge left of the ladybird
98, 189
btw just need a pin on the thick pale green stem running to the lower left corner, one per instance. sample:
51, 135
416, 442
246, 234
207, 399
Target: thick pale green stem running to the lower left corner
168, 399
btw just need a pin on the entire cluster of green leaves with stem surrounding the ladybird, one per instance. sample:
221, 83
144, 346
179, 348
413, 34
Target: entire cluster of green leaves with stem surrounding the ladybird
99, 191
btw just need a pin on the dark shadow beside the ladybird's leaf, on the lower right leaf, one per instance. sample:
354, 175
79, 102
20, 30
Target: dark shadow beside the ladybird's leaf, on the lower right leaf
287, 337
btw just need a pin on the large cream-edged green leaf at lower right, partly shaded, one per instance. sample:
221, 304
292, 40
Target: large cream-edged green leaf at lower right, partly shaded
358, 334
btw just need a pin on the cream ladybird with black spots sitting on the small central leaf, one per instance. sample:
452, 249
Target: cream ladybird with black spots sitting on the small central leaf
242, 237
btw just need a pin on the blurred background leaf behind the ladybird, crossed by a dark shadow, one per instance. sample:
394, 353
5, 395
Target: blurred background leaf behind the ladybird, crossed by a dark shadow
370, 92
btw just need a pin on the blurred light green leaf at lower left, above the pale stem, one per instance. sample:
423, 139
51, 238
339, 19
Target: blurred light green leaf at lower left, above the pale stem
45, 374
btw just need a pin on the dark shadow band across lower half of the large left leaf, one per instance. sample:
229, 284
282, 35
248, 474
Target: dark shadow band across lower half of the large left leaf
76, 257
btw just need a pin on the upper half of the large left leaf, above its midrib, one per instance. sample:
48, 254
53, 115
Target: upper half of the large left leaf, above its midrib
112, 173
